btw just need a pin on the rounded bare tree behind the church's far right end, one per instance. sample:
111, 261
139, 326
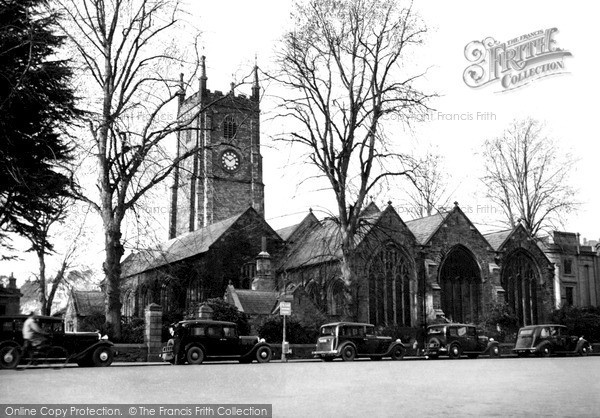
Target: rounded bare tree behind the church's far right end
527, 176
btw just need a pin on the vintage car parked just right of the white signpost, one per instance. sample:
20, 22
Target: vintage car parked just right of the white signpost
350, 340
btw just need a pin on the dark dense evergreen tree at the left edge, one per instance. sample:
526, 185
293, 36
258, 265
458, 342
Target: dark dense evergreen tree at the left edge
36, 103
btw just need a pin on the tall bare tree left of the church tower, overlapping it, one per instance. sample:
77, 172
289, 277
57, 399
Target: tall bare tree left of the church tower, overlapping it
129, 50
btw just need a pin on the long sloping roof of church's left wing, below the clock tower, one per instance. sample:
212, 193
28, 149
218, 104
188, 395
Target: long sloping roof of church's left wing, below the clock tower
179, 248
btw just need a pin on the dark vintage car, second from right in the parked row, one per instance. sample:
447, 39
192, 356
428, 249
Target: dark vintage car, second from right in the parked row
454, 340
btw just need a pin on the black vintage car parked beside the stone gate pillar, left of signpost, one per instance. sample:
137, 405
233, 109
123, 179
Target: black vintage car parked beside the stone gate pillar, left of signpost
195, 341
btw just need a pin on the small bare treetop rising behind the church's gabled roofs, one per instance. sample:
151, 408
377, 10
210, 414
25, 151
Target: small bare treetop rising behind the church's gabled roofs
430, 187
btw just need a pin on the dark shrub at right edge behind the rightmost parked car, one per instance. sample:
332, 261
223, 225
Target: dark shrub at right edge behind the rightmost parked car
580, 321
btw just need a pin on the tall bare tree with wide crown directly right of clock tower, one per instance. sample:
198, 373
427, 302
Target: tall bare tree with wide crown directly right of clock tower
343, 67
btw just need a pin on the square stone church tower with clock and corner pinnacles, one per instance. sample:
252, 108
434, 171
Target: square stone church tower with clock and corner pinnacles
222, 176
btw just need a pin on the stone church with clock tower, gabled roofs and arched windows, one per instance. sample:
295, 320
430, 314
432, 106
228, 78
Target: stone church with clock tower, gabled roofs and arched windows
407, 272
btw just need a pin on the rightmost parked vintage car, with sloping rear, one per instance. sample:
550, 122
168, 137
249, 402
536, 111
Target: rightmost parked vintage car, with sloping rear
545, 340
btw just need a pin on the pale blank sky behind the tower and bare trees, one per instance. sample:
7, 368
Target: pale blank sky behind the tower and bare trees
236, 34
